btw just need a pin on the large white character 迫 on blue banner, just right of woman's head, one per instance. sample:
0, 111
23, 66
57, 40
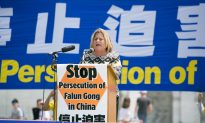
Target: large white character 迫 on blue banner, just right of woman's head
136, 30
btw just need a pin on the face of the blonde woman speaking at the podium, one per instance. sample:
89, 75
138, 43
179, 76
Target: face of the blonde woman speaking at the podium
99, 42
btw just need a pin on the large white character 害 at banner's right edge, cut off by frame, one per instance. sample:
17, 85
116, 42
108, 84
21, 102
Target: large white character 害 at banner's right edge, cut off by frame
192, 36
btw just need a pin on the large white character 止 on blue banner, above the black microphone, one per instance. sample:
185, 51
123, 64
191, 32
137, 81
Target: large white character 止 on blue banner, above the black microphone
61, 22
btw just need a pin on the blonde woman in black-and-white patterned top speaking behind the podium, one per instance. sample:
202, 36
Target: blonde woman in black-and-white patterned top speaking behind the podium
101, 52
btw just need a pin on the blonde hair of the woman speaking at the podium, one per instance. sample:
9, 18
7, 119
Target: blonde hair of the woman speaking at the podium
108, 42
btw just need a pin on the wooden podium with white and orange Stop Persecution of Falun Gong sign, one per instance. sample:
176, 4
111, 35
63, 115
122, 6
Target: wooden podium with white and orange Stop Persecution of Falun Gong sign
86, 90
